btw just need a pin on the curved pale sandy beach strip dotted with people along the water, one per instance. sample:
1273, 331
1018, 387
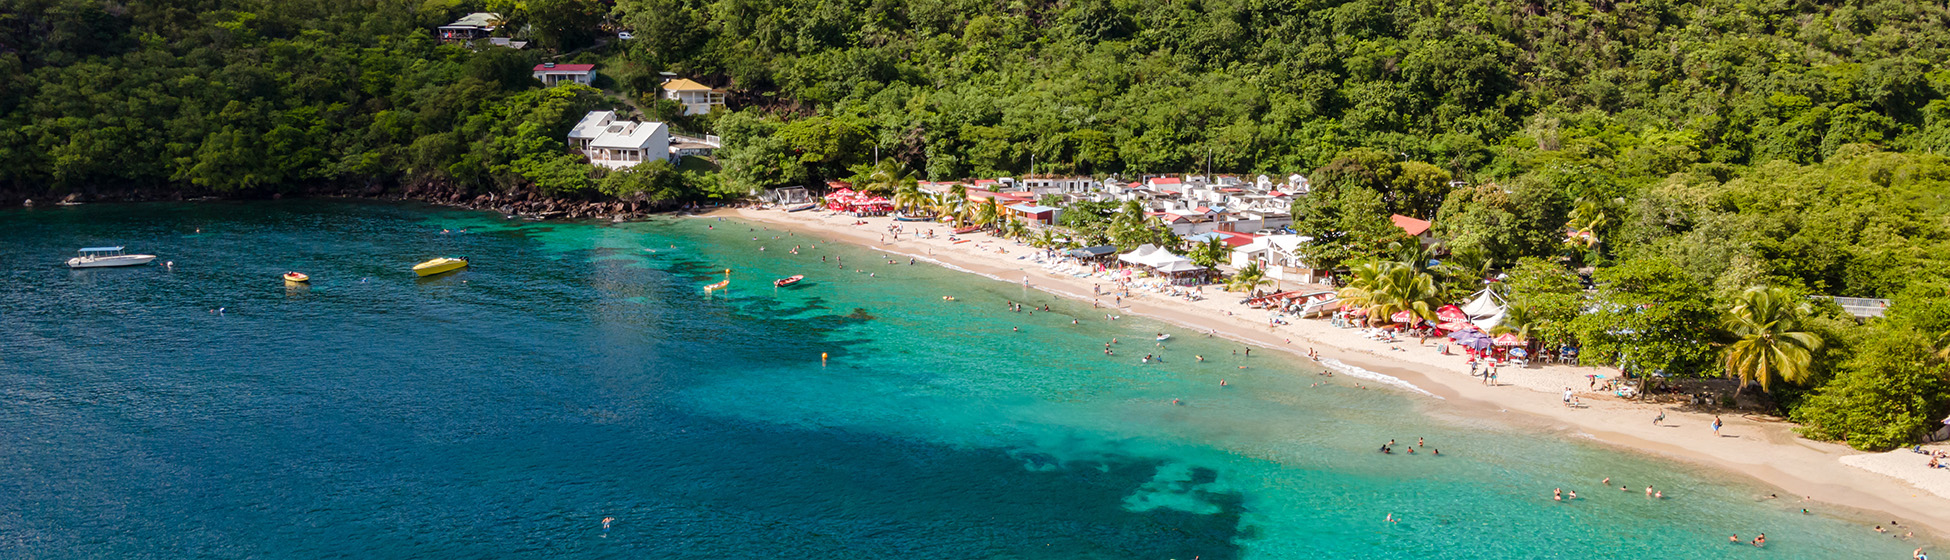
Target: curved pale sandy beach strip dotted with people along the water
1892, 485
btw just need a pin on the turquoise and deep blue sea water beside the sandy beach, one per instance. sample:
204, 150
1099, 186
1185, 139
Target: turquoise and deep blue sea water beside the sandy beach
578, 374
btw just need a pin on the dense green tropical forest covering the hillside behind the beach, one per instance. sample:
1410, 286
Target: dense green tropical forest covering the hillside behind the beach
1666, 184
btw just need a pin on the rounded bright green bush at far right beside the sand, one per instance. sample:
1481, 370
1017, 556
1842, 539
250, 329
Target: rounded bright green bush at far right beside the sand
1891, 395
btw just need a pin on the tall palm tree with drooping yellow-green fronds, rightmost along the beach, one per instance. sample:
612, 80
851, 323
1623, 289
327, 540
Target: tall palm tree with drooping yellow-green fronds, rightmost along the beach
1766, 325
